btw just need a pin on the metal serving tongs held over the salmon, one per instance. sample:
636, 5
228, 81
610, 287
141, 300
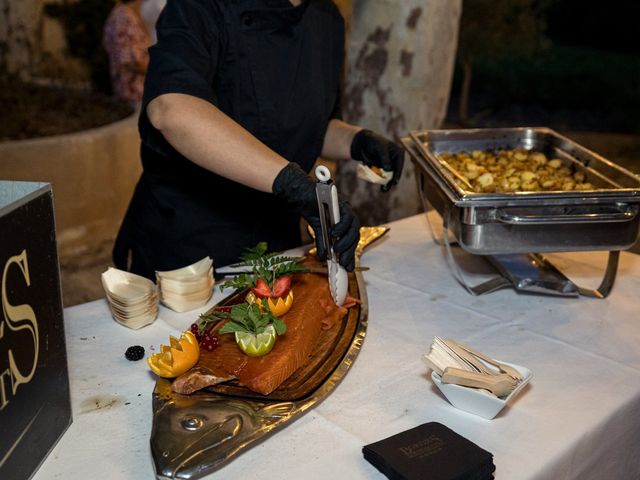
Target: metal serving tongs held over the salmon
330, 215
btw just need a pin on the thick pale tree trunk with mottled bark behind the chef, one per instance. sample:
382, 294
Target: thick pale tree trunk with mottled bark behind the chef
400, 62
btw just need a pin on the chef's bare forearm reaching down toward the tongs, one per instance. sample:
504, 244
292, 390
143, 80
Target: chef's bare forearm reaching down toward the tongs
211, 139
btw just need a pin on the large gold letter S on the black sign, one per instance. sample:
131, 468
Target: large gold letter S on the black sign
19, 317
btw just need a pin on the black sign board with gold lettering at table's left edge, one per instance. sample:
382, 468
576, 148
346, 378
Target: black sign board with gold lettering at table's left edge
35, 407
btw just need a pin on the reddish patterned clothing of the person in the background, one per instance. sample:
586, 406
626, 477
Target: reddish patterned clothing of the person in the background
126, 40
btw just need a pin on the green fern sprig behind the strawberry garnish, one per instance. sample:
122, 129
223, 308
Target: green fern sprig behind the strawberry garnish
267, 266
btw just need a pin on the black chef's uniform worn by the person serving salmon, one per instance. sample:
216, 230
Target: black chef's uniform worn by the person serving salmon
273, 68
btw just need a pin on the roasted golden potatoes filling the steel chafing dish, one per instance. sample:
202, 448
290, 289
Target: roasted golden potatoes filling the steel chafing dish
515, 170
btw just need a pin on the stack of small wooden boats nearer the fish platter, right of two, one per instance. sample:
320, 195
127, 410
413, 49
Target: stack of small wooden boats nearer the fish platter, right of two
187, 288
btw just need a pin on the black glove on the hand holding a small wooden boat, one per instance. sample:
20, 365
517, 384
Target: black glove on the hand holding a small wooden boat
377, 151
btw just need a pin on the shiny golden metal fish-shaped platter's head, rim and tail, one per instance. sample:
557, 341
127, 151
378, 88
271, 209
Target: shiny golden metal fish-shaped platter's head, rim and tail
185, 427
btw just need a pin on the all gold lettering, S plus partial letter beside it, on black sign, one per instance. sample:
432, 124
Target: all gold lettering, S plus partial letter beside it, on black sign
17, 318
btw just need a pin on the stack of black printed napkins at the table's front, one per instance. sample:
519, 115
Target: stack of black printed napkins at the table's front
430, 452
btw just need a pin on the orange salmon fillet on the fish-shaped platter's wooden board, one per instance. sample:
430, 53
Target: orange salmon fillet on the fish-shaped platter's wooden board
312, 308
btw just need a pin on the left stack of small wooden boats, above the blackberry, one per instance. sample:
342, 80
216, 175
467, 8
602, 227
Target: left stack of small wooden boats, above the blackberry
133, 299
